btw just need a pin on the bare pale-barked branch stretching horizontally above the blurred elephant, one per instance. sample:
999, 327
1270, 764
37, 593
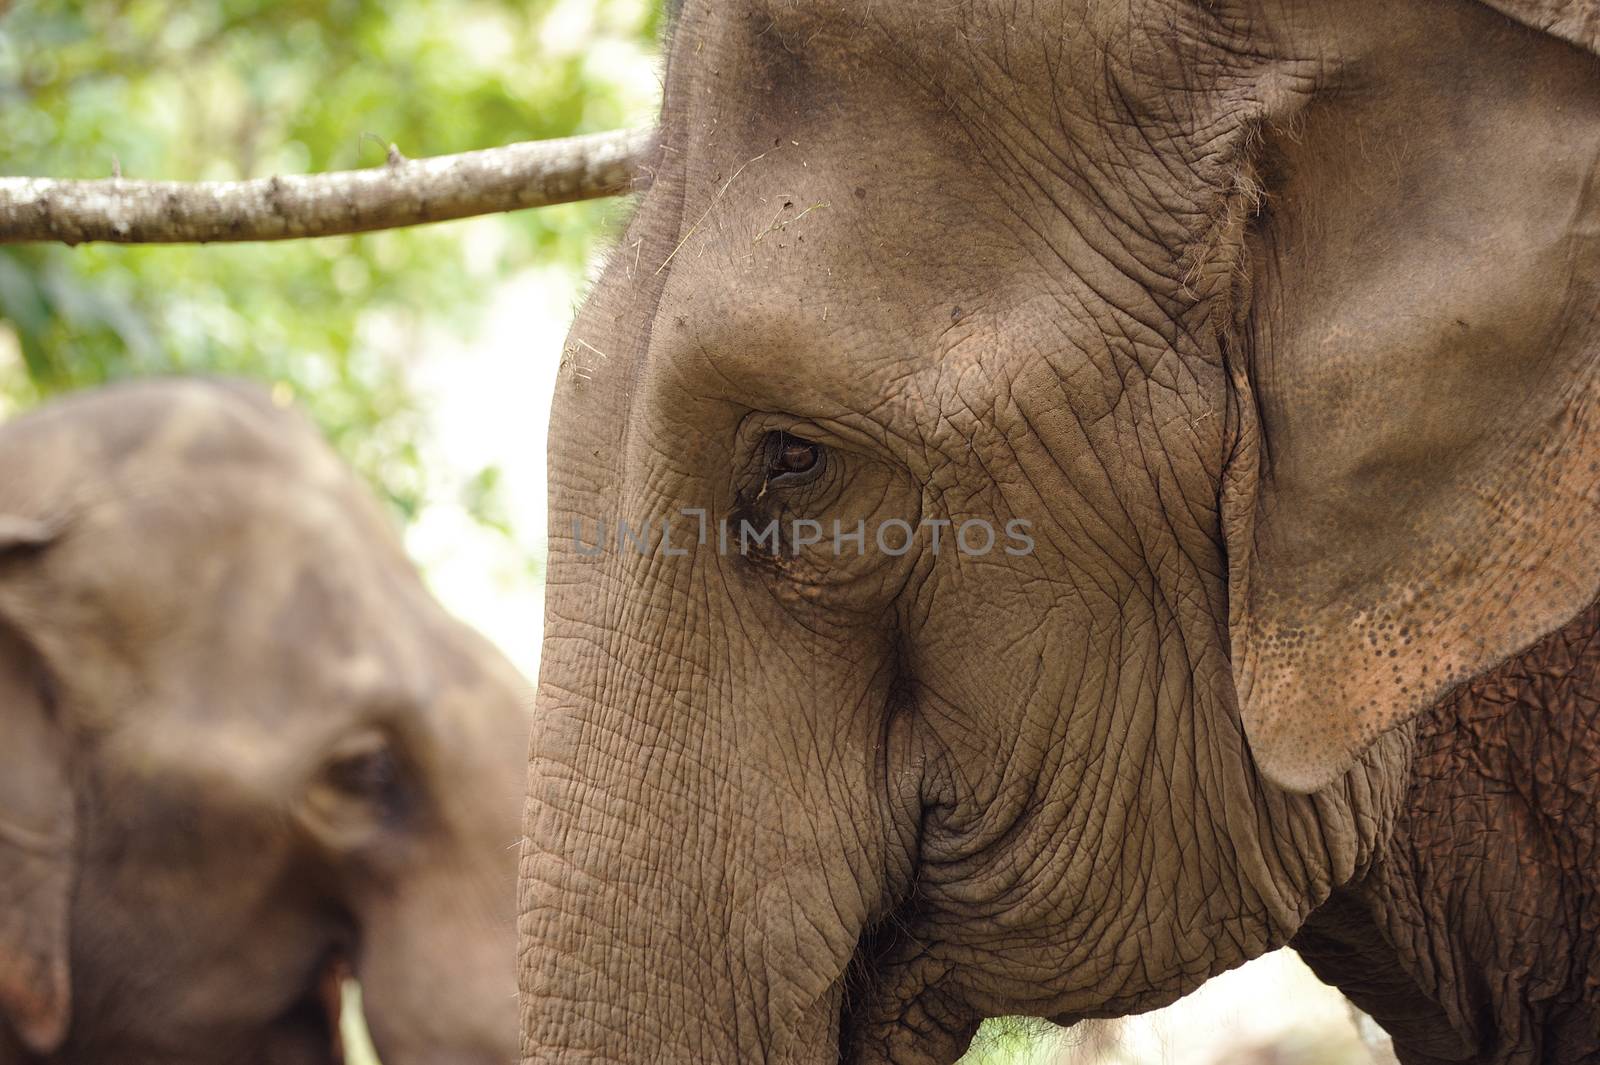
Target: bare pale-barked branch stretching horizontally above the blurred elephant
402, 193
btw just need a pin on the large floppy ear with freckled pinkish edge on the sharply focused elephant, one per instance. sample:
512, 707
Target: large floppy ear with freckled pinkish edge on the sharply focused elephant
1414, 497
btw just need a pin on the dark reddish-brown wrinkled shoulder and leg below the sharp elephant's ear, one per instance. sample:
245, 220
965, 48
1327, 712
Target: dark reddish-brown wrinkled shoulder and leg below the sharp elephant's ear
1500, 808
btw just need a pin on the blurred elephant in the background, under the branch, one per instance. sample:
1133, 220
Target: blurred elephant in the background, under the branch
246, 752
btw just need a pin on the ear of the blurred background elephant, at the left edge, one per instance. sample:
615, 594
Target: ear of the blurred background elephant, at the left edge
36, 823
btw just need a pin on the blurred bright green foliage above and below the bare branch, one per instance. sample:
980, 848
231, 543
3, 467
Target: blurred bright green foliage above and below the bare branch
244, 89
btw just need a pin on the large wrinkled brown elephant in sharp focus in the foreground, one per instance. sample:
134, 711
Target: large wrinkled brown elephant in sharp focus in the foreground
1054, 500
